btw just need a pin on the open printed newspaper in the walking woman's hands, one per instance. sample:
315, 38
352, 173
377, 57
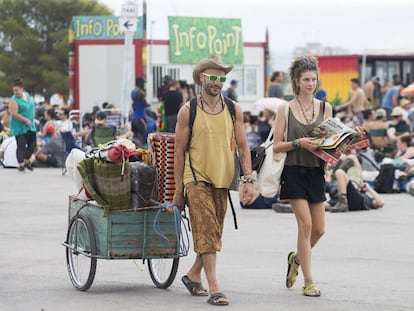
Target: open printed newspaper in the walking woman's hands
334, 138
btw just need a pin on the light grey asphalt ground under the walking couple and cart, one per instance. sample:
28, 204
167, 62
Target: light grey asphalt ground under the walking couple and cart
363, 262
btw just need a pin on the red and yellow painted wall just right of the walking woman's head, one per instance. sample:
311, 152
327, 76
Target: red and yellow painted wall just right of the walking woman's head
336, 73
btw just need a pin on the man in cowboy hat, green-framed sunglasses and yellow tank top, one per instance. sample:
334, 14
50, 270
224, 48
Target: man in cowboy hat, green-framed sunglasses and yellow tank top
214, 141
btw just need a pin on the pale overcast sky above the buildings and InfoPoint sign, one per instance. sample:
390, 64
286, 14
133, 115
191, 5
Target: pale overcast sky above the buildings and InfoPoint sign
355, 26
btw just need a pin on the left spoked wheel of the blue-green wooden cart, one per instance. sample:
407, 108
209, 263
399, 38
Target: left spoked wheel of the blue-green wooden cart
81, 267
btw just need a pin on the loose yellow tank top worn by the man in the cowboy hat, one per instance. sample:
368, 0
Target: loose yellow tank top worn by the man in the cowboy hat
212, 149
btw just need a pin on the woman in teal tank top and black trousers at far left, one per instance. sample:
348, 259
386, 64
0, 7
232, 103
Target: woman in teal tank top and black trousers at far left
22, 125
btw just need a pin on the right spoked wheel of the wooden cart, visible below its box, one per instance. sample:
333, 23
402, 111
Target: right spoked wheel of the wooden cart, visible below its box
163, 271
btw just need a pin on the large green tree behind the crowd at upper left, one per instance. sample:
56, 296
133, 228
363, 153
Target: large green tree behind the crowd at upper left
34, 42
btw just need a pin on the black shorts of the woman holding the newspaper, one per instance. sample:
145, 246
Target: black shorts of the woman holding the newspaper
299, 182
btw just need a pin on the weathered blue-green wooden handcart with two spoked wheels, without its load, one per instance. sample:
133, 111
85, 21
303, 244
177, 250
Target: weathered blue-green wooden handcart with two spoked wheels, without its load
152, 233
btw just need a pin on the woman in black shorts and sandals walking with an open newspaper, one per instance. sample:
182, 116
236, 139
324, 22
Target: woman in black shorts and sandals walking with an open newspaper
302, 181
